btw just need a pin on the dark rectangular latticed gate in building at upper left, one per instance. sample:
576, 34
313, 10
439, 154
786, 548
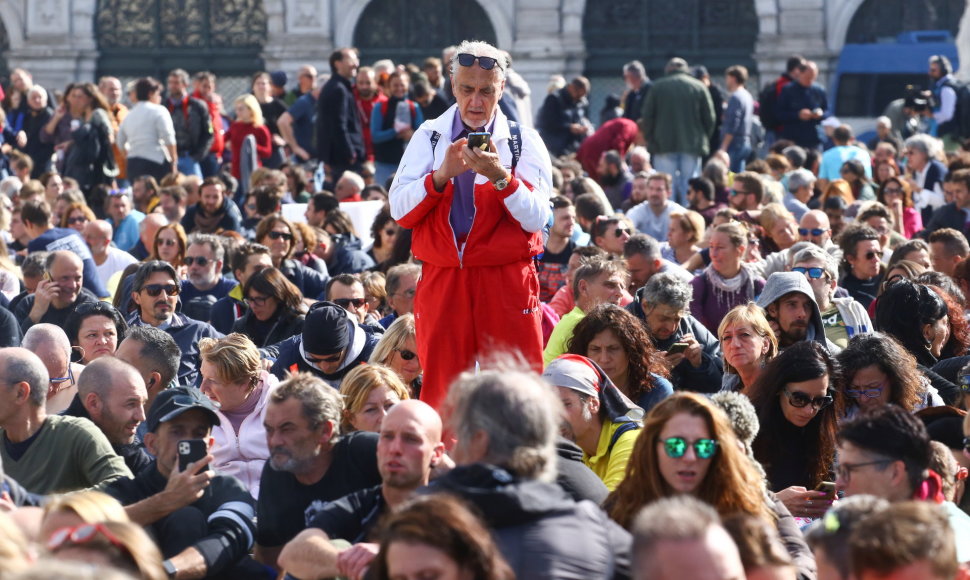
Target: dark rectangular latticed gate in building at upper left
151, 37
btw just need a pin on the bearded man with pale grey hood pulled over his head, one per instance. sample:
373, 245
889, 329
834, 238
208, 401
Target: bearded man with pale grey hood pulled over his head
789, 304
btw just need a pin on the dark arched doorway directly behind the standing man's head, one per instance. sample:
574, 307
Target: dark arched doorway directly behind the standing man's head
414, 30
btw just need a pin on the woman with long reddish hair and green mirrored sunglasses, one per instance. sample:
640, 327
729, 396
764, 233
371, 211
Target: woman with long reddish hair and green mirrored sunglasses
687, 446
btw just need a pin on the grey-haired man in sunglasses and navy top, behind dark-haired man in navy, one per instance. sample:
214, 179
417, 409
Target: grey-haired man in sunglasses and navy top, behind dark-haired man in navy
205, 284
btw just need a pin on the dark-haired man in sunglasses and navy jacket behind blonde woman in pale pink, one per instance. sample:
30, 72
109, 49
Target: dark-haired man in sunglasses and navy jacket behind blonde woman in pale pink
156, 293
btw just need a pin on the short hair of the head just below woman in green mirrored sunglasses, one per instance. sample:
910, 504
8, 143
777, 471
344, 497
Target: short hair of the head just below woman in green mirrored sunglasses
680, 518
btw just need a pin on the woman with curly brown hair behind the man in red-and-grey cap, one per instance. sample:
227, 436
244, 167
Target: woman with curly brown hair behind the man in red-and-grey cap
618, 342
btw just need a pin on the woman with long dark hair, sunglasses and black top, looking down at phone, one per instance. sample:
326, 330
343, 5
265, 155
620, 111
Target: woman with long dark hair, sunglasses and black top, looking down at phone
798, 400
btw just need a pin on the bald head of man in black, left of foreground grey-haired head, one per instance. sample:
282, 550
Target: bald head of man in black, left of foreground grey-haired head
410, 446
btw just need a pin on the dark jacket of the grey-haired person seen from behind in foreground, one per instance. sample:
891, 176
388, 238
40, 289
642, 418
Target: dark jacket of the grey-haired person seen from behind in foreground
542, 532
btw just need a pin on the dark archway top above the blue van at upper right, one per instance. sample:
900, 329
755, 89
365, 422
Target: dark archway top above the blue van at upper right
882, 20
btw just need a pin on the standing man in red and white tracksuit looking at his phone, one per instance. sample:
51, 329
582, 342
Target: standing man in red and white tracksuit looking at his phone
476, 218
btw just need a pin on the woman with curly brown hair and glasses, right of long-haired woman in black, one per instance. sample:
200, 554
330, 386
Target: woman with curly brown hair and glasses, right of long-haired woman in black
877, 370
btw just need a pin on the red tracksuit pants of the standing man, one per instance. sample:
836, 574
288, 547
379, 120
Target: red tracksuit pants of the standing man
463, 315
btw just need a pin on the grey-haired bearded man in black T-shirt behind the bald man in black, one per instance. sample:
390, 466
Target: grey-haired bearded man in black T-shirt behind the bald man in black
308, 461
